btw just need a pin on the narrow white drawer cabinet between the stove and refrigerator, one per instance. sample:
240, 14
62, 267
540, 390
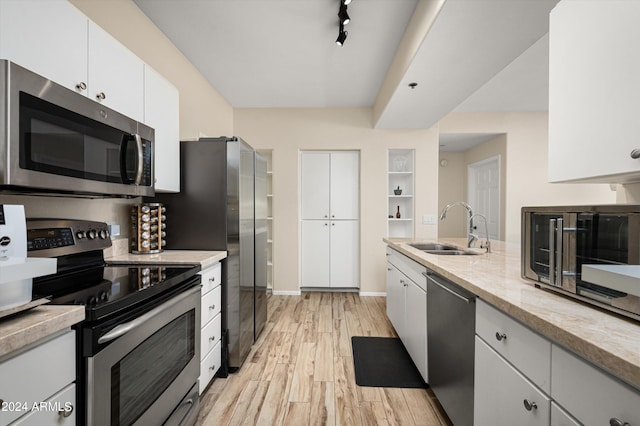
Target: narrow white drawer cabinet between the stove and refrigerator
211, 324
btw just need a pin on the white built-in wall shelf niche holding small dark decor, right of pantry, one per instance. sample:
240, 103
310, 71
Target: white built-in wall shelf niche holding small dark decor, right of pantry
400, 193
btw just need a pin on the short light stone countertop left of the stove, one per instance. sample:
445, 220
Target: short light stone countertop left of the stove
24, 328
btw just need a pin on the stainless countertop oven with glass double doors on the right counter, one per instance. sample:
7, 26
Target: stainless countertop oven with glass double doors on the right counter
560, 243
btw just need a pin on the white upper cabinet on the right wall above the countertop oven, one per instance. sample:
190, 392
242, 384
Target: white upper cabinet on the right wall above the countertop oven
594, 91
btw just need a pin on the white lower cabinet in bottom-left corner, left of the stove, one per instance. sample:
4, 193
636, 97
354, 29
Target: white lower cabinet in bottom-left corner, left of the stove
33, 381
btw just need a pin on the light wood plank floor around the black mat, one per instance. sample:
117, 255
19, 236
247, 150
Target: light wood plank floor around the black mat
300, 371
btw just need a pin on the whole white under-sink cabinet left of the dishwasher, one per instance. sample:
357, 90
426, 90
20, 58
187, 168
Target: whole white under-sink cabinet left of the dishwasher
407, 306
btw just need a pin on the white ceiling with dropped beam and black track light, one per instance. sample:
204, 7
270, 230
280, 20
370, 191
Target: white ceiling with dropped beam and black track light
478, 55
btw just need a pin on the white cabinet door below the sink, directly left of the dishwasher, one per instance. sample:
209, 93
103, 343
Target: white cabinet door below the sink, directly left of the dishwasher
416, 326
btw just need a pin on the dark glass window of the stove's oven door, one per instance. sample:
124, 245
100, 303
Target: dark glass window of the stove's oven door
148, 370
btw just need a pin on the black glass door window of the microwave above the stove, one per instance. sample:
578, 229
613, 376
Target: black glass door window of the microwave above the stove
57, 141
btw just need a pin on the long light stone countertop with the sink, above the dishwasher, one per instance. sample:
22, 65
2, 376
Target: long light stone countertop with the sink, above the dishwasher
607, 340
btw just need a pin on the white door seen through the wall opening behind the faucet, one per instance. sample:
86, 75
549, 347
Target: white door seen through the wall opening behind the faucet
484, 195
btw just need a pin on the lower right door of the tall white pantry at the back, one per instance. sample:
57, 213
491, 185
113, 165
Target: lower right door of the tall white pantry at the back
344, 250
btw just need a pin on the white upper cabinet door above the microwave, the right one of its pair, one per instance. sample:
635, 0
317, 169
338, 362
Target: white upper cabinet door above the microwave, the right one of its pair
116, 75
